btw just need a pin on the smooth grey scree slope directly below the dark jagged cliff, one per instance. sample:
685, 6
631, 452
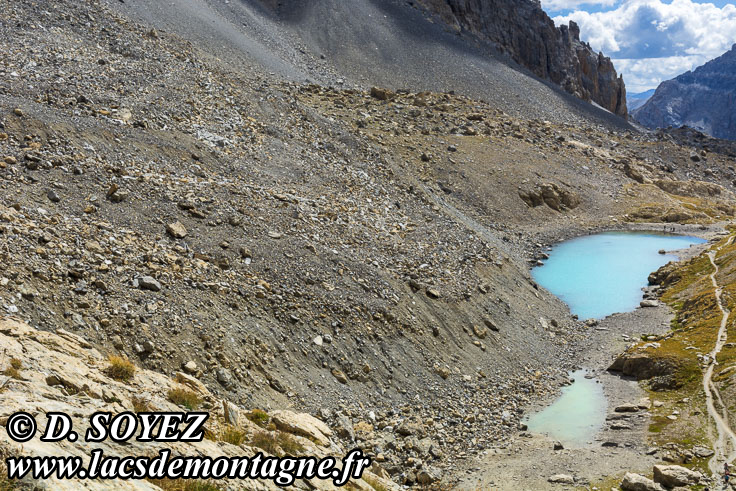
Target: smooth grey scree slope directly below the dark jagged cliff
359, 43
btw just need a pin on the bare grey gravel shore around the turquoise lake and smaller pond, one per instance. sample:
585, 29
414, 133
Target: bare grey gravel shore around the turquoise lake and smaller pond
531, 460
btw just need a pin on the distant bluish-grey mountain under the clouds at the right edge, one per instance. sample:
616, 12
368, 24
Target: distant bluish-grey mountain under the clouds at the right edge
704, 99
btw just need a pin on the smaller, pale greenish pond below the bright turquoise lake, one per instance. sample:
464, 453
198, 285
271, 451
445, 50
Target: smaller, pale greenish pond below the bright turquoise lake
576, 416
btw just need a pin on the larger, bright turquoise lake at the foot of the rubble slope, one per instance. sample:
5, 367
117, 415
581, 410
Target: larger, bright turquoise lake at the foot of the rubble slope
601, 274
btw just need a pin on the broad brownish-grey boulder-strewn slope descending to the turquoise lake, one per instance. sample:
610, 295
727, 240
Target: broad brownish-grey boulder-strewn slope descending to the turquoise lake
358, 253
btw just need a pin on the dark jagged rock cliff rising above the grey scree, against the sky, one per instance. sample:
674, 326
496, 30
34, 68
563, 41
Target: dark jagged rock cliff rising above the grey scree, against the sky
524, 31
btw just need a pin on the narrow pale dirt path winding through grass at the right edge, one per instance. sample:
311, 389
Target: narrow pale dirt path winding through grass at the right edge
725, 433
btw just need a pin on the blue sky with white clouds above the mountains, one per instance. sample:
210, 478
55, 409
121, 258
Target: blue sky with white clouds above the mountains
651, 40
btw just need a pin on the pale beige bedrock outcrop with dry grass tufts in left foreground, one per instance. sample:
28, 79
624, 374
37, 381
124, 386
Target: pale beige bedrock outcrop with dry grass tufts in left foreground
62, 372
